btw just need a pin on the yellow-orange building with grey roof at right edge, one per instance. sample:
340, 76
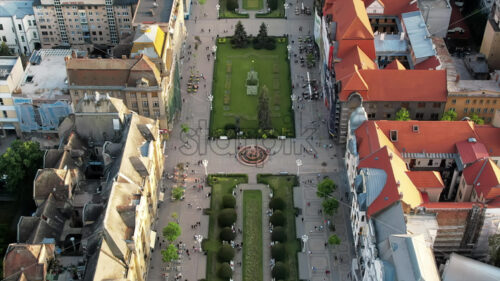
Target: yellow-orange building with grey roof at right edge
481, 97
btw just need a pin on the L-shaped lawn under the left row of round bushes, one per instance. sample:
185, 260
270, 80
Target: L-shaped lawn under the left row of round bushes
221, 185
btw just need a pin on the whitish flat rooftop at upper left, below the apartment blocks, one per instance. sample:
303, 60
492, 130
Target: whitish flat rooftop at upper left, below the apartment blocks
44, 77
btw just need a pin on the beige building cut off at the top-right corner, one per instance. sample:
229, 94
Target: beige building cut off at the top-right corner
490, 46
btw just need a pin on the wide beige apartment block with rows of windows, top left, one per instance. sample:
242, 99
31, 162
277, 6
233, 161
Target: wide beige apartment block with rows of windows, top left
85, 25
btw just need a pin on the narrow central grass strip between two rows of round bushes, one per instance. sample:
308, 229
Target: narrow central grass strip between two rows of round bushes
252, 235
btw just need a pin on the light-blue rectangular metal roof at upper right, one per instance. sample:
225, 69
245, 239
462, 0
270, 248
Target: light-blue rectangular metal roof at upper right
420, 38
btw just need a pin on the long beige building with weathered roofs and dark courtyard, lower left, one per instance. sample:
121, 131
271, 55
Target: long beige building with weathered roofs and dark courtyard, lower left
97, 194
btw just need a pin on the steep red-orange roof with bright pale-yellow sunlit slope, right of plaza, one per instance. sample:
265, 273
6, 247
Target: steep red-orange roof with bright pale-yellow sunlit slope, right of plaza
398, 185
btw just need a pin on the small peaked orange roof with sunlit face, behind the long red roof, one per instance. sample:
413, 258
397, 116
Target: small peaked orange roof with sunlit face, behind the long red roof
355, 56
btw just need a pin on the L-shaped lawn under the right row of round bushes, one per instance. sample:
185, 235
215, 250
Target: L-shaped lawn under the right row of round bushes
282, 187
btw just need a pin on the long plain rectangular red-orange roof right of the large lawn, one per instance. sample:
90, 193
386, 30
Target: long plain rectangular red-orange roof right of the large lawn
402, 85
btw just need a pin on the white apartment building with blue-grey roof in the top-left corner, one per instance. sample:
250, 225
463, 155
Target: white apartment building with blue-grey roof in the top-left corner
18, 27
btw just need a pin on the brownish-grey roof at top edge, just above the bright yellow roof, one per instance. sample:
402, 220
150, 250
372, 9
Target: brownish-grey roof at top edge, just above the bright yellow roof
151, 11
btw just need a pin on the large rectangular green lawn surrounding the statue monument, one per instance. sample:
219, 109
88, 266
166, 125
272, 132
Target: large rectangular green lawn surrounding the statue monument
231, 103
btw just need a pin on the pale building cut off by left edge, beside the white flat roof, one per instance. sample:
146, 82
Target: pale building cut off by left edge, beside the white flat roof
11, 73
